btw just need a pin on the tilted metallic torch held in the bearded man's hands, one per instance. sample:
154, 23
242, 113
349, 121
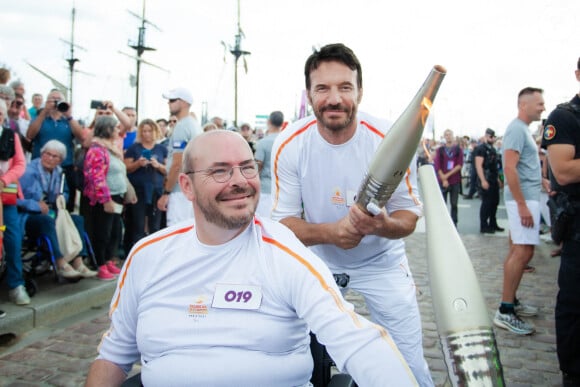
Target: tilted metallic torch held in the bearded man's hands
396, 150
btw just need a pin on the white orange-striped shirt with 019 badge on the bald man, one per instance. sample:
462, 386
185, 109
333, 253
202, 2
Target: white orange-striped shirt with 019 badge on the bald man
238, 314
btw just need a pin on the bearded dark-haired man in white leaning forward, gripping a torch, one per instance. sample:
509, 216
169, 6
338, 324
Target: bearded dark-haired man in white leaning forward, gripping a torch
318, 165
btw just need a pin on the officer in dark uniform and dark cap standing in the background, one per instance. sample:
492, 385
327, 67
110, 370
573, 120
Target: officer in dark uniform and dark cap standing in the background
487, 167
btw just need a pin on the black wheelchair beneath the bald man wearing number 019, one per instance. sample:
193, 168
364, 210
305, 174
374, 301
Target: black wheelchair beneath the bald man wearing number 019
322, 373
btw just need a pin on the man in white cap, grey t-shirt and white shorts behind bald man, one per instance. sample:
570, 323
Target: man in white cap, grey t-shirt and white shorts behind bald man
173, 201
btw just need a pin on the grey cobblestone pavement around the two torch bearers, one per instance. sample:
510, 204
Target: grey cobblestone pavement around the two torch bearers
61, 356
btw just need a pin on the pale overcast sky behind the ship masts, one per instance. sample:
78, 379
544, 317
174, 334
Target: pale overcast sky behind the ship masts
491, 50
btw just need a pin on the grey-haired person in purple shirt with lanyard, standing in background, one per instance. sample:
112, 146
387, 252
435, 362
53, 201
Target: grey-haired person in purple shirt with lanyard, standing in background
448, 164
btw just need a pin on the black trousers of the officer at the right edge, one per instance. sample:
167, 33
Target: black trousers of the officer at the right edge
568, 308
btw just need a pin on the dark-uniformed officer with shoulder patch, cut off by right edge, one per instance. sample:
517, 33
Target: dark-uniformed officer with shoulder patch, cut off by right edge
562, 139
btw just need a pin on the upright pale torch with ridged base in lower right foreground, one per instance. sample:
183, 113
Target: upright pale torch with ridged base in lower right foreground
463, 323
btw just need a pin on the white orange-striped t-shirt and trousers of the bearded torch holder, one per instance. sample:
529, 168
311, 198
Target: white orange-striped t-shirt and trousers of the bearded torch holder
319, 181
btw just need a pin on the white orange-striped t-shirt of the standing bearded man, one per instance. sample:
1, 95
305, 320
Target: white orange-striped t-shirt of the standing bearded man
321, 179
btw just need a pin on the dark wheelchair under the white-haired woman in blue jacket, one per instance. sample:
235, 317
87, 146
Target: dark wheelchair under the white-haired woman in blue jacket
38, 259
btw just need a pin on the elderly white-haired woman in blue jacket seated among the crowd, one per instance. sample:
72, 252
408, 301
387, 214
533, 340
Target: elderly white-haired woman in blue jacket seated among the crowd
41, 185
